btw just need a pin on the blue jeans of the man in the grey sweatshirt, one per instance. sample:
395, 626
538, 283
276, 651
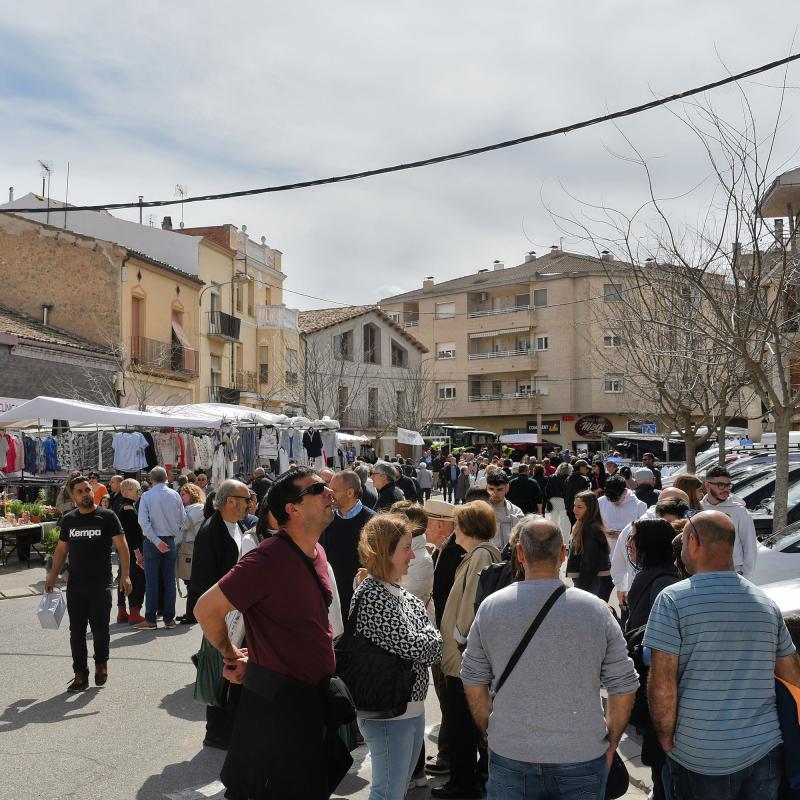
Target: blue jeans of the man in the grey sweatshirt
520, 780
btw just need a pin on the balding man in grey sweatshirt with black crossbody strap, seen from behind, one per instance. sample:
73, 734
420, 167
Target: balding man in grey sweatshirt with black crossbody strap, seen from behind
545, 725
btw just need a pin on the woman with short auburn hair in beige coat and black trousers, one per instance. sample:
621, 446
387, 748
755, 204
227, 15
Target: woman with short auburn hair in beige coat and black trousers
475, 525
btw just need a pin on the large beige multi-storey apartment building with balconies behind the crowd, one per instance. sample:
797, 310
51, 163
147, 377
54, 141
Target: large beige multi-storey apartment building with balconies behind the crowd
513, 349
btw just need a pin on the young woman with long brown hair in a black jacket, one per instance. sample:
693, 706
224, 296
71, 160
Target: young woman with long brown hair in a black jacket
589, 561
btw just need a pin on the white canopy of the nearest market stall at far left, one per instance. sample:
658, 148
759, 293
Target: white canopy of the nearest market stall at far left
46, 409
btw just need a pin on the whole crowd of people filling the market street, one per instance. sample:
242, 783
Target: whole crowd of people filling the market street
454, 587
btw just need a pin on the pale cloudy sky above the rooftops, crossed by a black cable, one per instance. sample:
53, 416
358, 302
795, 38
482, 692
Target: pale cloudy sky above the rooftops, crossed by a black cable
219, 97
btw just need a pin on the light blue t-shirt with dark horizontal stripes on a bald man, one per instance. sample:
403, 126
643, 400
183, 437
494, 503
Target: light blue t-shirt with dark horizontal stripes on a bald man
727, 634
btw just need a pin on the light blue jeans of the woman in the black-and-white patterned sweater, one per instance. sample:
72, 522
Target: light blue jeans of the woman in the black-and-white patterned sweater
394, 746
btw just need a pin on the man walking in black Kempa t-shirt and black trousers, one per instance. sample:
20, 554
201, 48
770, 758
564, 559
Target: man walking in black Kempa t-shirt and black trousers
87, 534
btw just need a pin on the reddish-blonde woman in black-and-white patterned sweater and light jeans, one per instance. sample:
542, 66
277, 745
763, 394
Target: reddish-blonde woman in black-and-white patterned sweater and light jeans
395, 620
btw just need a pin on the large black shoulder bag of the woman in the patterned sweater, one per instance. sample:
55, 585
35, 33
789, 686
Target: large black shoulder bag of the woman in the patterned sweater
379, 681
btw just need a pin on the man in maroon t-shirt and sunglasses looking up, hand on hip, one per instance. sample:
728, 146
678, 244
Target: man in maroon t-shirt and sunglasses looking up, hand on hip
283, 591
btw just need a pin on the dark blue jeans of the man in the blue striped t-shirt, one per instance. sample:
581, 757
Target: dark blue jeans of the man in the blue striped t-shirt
759, 781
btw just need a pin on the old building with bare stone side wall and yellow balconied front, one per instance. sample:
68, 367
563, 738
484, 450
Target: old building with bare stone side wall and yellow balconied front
138, 310
